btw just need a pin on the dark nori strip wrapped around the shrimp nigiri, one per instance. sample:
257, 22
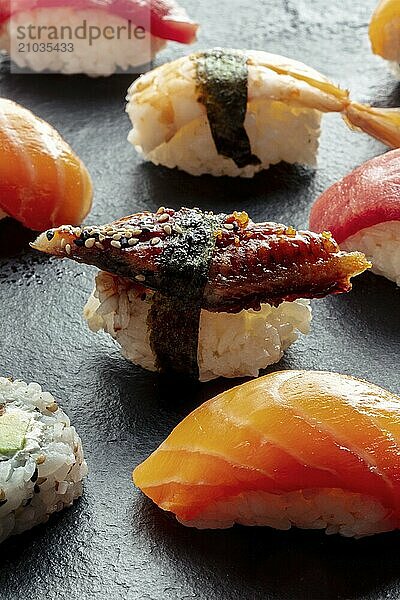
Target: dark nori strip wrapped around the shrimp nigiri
222, 80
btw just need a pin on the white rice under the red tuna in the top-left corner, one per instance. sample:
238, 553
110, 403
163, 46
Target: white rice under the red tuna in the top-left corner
102, 58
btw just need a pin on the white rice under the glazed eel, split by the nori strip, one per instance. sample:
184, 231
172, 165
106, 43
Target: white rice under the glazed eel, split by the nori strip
230, 345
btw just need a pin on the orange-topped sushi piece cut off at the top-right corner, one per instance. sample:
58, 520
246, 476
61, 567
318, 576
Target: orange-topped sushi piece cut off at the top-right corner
384, 33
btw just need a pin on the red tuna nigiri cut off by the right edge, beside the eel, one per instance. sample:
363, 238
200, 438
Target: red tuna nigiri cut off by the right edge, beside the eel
362, 211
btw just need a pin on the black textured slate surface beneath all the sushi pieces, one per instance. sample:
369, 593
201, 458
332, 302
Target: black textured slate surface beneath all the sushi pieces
113, 543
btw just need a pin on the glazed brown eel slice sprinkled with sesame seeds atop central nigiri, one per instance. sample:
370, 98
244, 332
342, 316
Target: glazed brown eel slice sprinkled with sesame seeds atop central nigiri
245, 264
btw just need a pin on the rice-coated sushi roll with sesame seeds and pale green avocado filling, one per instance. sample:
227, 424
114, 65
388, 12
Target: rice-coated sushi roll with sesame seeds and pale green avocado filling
41, 458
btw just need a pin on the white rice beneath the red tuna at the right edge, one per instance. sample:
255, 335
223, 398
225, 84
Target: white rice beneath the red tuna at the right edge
381, 245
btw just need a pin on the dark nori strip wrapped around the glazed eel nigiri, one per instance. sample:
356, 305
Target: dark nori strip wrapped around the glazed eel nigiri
174, 315
